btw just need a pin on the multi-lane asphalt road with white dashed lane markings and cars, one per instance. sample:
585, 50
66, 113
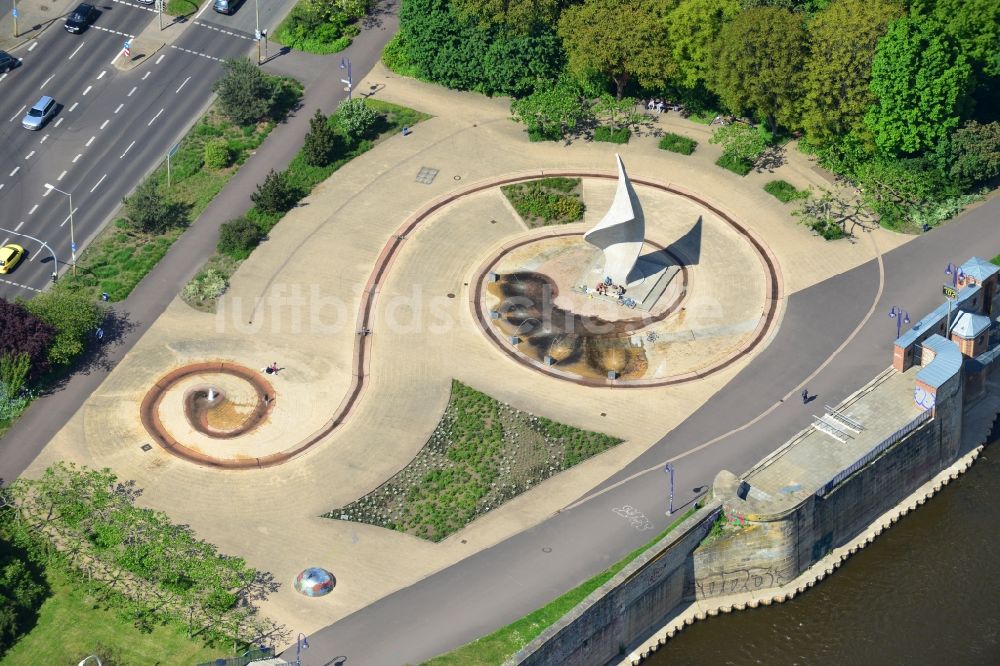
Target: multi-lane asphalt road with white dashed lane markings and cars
111, 129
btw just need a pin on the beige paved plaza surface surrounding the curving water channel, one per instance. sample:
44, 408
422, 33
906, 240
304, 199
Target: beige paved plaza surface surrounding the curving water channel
295, 301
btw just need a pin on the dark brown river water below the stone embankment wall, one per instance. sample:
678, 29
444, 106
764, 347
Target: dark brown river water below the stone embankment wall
925, 592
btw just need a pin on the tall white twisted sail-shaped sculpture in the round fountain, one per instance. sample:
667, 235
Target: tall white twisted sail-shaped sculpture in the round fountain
621, 231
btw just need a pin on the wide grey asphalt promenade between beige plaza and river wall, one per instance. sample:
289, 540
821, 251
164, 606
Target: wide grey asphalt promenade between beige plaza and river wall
503, 583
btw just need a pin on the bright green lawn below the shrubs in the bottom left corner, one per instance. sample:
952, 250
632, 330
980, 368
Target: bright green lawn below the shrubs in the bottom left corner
71, 626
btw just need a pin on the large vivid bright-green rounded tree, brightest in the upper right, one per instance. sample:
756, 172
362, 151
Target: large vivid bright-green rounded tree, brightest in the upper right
921, 85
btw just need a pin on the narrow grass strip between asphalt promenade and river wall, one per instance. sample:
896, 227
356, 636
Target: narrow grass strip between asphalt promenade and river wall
503, 643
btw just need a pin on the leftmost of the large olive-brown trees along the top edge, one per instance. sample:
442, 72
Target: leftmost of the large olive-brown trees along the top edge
617, 39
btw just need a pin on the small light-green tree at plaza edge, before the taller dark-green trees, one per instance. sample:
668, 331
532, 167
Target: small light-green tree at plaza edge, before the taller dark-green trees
552, 113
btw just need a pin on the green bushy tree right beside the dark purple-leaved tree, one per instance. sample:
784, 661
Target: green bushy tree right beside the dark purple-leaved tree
73, 316
